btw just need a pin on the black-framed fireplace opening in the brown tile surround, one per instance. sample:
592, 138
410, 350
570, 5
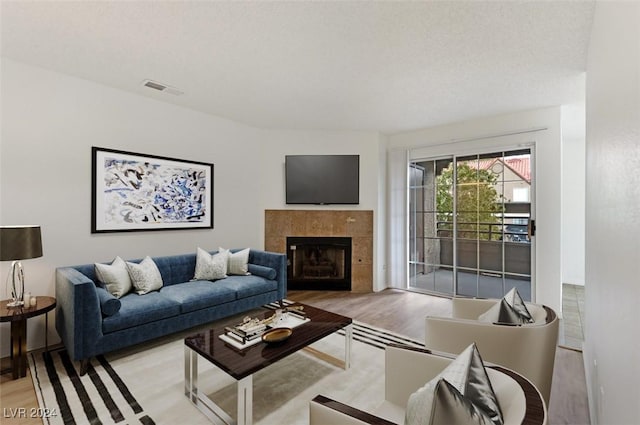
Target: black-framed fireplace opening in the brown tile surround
319, 263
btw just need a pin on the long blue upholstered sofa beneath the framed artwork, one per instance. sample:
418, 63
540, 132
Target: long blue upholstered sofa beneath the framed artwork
86, 328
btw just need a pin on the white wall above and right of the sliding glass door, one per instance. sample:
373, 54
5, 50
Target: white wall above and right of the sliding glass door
455, 138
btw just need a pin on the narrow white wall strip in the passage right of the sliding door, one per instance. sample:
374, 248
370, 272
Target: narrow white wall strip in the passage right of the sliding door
573, 192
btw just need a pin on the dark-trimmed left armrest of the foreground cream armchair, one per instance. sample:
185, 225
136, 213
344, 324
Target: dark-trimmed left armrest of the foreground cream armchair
323, 410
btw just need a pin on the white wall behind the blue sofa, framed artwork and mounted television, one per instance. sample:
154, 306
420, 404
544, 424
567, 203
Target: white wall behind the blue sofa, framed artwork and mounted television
51, 120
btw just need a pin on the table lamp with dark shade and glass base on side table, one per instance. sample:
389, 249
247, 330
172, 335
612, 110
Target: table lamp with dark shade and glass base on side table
18, 243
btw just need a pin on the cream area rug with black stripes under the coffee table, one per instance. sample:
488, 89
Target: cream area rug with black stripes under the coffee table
146, 386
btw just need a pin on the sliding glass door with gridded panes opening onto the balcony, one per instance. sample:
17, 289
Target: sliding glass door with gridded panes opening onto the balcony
470, 222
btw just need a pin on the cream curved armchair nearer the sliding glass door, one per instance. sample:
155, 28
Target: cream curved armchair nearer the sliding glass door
527, 349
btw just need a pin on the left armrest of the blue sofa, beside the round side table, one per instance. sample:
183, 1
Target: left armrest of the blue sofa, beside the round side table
78, 315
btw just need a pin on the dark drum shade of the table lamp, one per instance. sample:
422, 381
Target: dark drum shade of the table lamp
20, 242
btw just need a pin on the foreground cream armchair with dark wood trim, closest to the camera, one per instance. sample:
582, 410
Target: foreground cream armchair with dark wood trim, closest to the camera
408, 369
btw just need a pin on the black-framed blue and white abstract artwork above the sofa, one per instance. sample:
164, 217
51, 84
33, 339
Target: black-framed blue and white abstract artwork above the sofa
139, 192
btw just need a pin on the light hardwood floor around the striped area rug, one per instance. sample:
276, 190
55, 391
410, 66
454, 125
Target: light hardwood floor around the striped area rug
399, 311
